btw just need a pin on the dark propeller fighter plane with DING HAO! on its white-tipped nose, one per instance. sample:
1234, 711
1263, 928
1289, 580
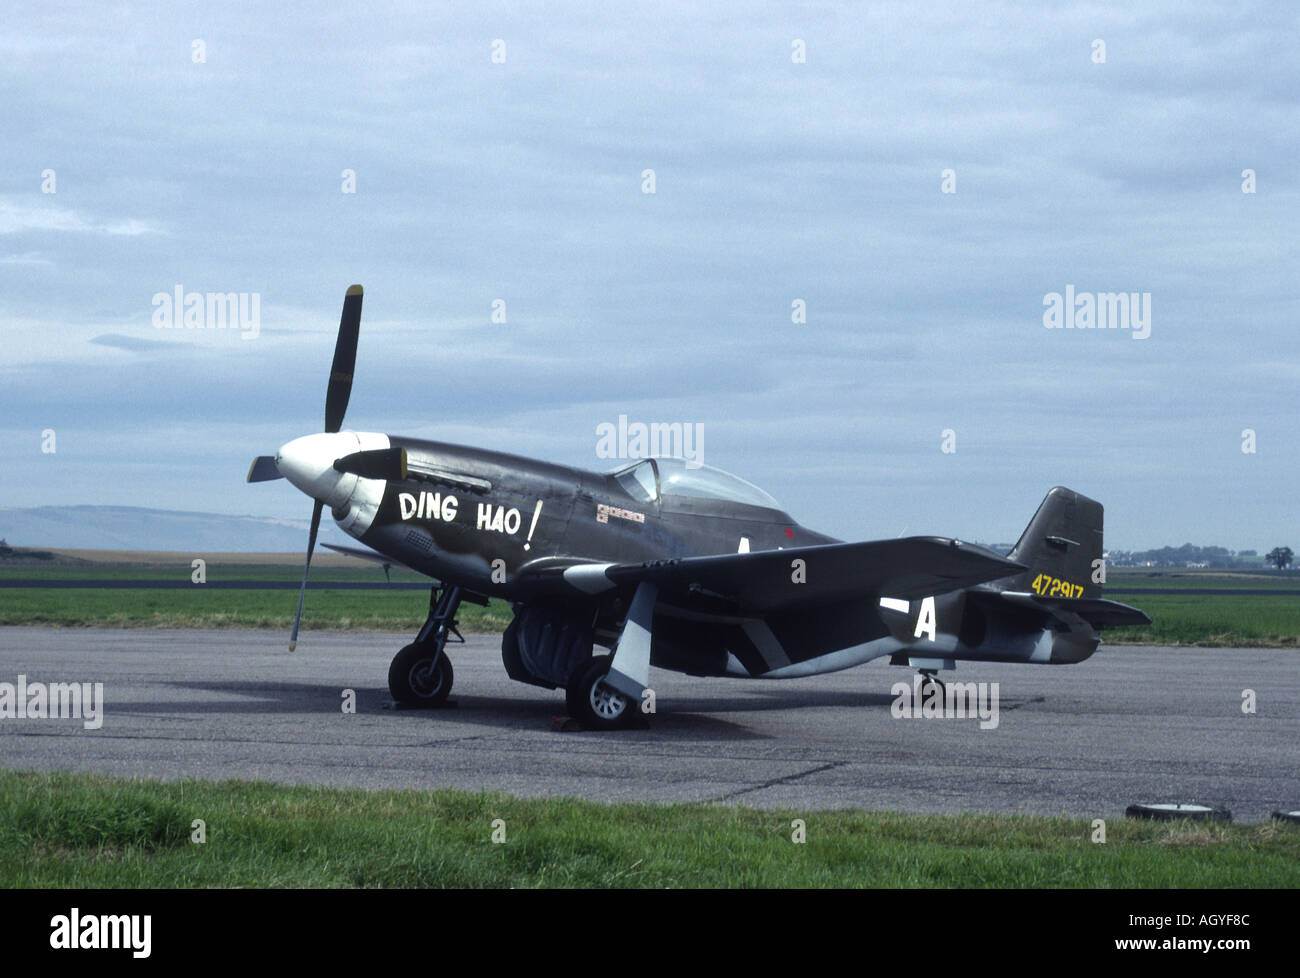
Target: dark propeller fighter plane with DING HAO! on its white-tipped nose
686, 569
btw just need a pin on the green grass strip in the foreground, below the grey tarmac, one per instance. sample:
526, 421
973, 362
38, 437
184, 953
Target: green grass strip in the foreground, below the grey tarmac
59, 830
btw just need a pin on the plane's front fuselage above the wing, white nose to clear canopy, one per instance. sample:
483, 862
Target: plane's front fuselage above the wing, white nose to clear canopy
478, 517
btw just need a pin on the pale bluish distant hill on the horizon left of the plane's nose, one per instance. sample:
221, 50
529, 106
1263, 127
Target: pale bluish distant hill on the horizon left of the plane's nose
140, 529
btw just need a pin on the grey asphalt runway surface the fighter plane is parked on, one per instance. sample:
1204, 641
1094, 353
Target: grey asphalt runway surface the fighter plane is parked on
1130, 725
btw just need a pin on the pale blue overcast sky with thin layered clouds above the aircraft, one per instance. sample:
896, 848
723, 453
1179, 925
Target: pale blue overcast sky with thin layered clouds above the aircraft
799, 153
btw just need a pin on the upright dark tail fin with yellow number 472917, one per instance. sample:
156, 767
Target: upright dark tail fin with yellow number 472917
1061, 548
